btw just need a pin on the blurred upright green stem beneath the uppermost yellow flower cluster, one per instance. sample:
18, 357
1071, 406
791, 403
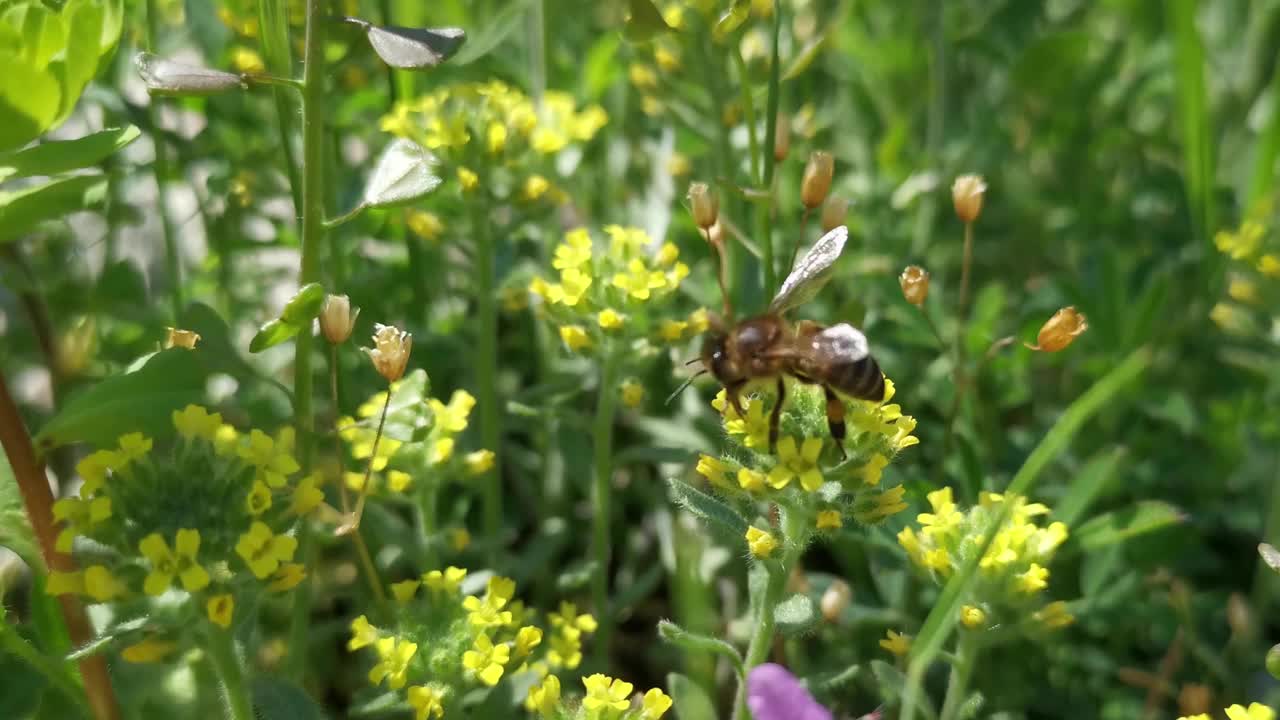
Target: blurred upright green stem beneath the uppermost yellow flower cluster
487, 367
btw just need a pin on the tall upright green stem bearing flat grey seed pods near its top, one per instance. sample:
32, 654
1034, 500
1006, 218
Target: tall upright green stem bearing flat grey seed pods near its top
314, 107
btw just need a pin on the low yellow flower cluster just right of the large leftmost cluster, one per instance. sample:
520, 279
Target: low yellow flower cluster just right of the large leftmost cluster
474, 641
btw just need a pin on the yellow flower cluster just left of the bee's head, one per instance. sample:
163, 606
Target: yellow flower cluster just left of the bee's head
612, 291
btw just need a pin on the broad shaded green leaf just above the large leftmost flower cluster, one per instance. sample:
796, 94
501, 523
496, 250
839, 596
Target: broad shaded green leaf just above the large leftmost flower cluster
143, 400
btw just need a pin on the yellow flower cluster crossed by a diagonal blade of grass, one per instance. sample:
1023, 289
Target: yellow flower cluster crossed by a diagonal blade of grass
1013, 572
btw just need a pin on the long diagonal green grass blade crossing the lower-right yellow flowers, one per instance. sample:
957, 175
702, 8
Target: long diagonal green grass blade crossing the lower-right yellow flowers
943, 618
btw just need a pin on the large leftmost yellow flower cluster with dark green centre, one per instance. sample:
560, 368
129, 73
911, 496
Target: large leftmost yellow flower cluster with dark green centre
157, 513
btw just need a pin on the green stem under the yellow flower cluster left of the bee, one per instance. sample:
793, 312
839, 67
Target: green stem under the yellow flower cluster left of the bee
602, 446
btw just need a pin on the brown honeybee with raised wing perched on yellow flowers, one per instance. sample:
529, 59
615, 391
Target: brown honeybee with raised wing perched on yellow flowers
767, 347
